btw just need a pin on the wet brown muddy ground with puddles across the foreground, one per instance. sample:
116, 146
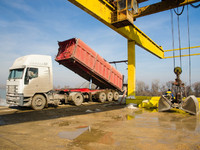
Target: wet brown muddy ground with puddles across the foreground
112, 126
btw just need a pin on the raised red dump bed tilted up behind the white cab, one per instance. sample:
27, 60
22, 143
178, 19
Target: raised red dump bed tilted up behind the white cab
81, 59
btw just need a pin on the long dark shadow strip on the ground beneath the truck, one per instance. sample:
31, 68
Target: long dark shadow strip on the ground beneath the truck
24, 114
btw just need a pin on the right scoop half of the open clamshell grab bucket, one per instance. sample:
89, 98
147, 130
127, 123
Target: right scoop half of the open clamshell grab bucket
190, 105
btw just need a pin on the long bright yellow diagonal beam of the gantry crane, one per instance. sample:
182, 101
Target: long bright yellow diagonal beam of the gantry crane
104, 13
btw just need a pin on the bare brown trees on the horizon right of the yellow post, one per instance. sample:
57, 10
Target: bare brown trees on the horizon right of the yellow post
156, 88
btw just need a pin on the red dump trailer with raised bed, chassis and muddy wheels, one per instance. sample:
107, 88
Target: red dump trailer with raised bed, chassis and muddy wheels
81, 59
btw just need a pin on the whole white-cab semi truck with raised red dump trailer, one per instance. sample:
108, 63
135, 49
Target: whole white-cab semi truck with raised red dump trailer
30, 81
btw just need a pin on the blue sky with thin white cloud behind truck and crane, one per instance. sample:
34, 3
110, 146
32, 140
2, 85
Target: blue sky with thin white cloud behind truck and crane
34, 27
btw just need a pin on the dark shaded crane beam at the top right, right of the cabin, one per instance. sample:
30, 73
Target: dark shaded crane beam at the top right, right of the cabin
162, 6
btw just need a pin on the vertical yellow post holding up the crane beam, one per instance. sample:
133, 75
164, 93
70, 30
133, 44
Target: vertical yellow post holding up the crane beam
131, 69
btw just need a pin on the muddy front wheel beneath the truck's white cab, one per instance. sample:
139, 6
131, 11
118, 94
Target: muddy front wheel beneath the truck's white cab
38, 102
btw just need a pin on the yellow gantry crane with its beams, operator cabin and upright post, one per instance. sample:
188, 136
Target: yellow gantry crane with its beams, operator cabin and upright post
119, 15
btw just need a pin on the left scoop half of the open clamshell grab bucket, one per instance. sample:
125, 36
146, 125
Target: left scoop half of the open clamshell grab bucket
164, 104
